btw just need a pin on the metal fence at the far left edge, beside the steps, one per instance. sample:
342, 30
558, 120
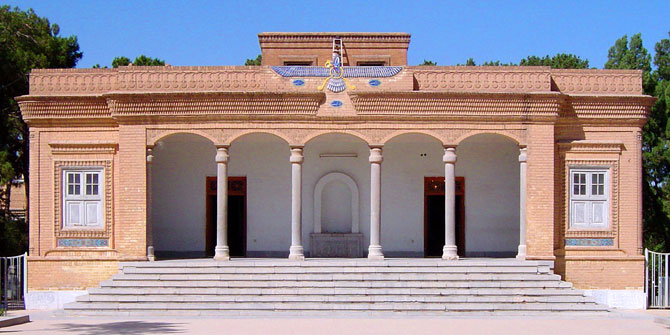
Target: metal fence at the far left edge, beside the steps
14, 284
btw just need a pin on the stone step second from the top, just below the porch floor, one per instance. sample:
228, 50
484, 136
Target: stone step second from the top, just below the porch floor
325, 270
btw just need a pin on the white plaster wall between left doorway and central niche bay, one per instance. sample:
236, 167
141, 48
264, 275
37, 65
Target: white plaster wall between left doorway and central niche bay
264, 160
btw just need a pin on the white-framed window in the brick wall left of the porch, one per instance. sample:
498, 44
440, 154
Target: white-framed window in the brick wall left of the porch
82, 198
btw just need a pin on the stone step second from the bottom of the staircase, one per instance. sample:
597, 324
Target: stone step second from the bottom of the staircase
187, 298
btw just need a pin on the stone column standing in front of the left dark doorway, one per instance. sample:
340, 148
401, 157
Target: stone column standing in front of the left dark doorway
222, 252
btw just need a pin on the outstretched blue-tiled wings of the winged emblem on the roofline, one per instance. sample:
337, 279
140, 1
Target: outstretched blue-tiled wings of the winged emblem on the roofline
349, 71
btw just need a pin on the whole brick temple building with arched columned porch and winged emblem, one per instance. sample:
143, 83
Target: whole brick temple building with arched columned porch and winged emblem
336, 147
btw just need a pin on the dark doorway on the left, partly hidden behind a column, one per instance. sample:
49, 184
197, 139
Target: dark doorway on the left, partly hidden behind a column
237, 216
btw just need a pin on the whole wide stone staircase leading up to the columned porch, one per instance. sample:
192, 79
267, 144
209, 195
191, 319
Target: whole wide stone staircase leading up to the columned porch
332, 287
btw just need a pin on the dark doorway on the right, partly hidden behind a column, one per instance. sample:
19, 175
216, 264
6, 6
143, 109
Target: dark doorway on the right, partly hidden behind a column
434, 216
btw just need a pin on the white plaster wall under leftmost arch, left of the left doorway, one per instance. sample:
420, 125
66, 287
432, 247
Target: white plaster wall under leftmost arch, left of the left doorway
179, 170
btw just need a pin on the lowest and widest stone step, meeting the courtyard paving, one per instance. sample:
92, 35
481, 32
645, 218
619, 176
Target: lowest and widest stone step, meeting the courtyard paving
337, 306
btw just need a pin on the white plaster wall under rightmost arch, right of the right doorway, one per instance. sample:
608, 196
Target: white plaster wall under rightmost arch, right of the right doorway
490, 165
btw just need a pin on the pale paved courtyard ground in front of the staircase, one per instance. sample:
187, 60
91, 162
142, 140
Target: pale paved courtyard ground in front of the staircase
629, 322
